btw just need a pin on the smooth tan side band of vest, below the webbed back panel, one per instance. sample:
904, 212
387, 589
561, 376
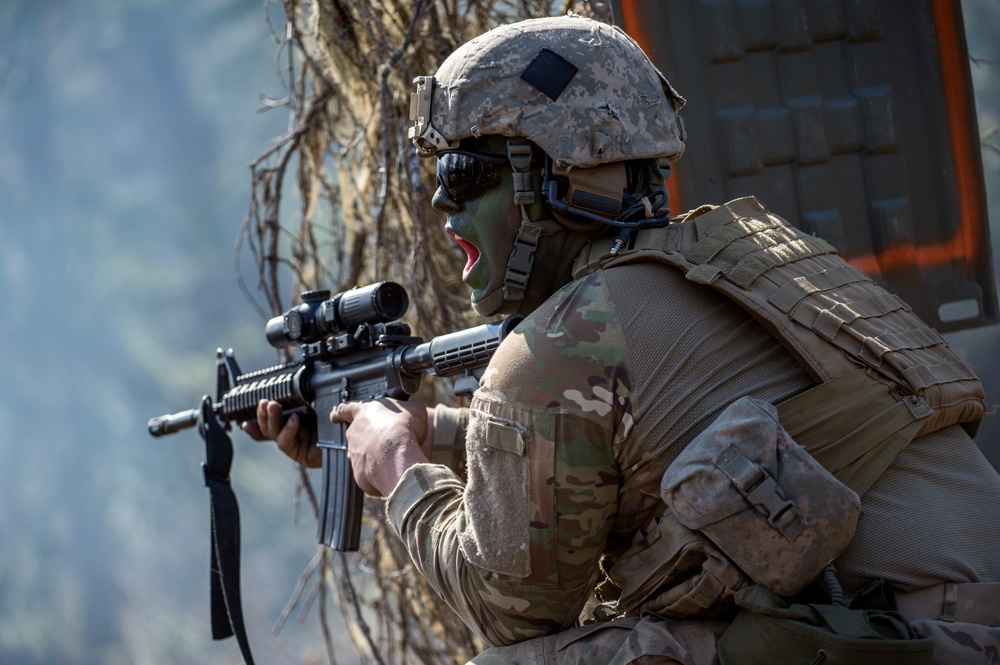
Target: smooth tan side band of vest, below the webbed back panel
854, 425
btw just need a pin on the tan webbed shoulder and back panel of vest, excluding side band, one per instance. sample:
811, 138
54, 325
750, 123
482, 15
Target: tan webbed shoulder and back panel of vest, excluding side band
830, 315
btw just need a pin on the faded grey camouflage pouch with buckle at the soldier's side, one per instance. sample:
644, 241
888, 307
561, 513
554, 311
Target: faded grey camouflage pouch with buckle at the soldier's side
761, 498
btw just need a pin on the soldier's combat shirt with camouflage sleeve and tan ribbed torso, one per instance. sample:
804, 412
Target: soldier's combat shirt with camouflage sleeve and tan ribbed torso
579, 414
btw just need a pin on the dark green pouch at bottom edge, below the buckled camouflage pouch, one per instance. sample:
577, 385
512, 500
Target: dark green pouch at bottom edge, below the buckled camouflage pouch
770, 631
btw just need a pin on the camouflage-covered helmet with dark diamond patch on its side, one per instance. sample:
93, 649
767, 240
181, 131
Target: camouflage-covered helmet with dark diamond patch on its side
582, 90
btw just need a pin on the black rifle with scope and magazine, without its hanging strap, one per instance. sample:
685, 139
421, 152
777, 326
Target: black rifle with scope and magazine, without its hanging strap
351, 348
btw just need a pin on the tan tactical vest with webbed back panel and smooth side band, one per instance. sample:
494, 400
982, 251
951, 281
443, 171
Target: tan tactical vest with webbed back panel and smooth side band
880, 369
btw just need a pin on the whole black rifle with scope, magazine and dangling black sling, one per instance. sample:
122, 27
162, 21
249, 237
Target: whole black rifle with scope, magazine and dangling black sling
351, 348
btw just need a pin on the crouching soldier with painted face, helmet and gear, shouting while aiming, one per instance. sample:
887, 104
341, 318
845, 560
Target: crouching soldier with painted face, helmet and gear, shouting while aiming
650, 342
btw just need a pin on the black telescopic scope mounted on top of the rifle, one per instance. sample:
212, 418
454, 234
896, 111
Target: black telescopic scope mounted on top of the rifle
319, 316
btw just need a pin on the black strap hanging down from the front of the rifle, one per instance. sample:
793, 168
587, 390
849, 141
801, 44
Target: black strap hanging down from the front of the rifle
226, 601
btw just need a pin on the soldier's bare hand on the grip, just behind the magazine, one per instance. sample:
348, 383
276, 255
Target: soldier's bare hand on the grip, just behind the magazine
383, 440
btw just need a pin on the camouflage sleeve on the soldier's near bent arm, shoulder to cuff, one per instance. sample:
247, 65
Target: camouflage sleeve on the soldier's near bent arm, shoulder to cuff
515, 548
